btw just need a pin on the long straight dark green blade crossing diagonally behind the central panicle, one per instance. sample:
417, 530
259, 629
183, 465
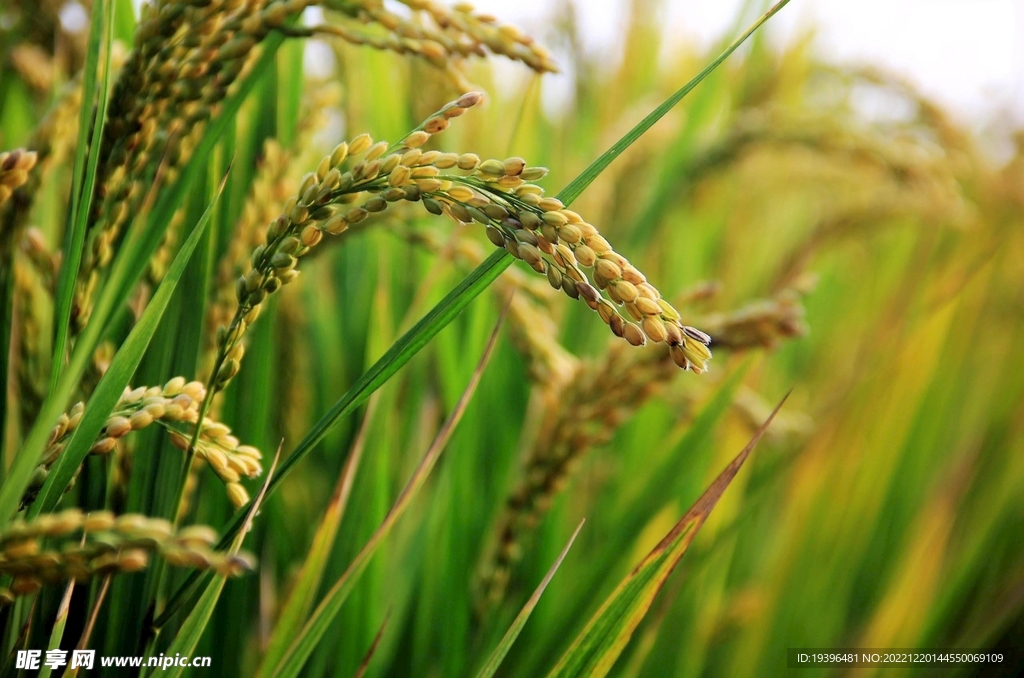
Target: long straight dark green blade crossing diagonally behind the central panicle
450, 308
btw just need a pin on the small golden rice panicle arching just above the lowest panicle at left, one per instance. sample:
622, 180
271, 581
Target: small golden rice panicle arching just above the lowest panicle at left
172, 407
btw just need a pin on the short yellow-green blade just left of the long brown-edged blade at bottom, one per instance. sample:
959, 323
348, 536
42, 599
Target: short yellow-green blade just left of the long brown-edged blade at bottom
302, 599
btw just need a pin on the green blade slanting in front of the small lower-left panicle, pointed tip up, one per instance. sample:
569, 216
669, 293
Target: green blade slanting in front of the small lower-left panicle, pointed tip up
113, 384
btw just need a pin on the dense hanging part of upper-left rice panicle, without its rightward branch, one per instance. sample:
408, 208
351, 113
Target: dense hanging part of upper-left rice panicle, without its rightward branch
187, 56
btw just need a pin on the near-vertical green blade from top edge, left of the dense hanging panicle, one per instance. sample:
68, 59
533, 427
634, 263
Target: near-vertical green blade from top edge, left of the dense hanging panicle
87, 165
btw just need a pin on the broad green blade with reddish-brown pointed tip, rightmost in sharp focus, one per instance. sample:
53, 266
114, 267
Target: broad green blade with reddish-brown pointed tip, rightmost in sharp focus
599, 647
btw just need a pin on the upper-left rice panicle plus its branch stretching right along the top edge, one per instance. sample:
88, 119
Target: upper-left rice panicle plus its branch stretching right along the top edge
187, 56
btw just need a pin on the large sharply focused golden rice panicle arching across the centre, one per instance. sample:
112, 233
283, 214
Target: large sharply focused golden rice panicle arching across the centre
552, 240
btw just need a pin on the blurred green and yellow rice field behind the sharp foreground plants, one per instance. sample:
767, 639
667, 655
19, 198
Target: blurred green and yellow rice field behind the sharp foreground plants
836, 233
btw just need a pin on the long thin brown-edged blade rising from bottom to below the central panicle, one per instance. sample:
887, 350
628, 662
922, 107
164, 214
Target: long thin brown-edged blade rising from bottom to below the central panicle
304, 646
